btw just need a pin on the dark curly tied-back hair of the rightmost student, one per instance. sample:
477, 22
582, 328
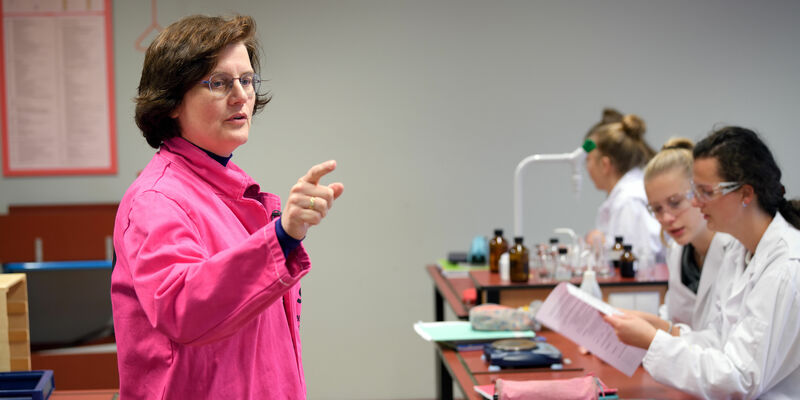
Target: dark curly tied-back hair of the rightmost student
743, 157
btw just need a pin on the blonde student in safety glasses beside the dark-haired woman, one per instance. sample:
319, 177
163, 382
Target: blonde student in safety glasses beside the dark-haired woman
695, 254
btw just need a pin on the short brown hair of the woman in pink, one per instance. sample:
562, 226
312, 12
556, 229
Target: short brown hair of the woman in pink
179, 57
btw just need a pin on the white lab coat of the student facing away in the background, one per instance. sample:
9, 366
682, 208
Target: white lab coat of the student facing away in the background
624, 213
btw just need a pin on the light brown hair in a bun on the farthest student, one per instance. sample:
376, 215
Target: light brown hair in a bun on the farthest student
622, 143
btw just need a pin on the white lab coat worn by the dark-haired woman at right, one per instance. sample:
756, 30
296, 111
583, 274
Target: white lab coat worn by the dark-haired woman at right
752, 349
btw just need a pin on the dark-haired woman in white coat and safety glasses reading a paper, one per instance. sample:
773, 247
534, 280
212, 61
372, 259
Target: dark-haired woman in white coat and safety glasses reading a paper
752, 349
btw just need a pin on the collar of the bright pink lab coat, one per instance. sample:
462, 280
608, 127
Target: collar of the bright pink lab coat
227, 180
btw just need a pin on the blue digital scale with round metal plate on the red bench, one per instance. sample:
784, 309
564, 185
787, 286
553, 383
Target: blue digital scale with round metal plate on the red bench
521, 353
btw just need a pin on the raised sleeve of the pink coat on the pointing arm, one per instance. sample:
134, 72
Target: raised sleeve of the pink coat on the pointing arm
192, 296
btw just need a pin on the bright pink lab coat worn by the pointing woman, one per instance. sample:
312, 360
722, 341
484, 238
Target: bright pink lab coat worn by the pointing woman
205, 304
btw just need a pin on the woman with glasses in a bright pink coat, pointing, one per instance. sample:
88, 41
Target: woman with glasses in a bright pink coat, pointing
206, 287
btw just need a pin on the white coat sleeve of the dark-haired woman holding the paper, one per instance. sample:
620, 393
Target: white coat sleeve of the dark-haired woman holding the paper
759, 352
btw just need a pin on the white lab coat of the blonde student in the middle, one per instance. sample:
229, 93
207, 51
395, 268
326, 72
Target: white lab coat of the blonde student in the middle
682, 306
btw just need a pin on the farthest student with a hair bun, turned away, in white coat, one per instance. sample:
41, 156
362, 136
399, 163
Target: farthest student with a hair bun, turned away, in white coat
615, 166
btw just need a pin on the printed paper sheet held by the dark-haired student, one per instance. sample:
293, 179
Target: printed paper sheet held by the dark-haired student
575, 315
